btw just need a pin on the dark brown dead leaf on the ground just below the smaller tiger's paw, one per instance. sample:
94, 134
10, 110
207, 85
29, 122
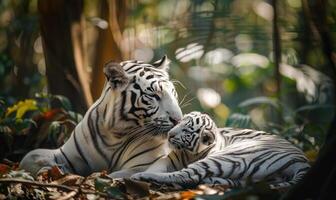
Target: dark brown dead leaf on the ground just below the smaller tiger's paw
139, 188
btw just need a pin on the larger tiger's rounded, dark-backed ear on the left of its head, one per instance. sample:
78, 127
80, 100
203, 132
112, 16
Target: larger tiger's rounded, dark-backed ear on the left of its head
115, 75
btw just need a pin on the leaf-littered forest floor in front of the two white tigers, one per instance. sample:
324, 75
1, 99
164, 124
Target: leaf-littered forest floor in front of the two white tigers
18, 184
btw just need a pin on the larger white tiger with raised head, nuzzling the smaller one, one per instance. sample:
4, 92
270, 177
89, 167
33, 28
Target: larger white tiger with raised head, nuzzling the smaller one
116, 134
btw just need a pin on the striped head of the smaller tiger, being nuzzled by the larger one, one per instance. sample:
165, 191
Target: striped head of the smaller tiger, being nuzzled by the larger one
195, 133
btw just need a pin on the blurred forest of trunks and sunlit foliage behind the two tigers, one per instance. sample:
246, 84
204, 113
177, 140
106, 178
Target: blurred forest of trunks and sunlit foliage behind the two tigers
261, 64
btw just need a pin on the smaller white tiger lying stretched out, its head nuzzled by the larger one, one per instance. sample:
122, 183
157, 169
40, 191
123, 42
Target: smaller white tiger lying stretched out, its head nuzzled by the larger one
204, 154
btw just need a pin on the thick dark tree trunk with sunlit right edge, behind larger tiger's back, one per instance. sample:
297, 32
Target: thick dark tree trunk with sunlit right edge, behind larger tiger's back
61, 31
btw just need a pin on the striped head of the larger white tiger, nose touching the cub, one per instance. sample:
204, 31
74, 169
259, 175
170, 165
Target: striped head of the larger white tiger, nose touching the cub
141, 95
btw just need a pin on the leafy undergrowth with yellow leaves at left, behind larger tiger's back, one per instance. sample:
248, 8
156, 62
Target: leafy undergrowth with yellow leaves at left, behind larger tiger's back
45, 121
